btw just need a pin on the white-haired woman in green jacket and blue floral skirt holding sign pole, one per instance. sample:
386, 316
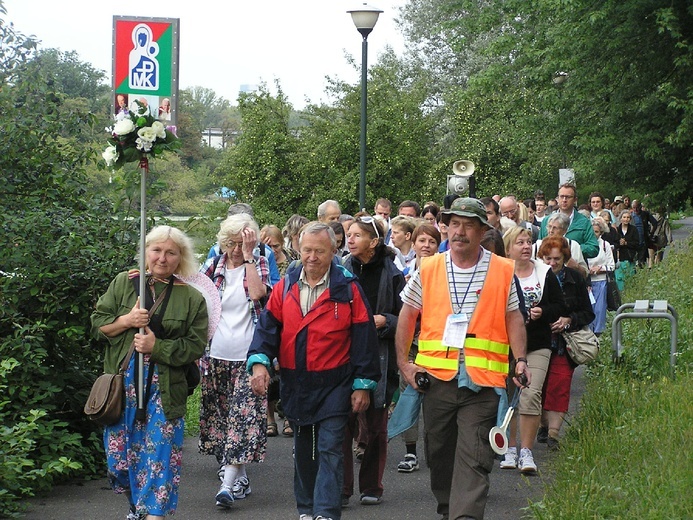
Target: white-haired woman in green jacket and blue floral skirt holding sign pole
175, 335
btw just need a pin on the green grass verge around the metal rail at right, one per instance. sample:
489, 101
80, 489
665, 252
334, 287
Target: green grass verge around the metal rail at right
629, 452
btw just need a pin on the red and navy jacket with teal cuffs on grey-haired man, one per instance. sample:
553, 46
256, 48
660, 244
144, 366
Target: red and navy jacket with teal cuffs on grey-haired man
324, 355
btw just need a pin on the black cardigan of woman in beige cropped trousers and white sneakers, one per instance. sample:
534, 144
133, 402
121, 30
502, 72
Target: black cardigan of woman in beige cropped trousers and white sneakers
552, 306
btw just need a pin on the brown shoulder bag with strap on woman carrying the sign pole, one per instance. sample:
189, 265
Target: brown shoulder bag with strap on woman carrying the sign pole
106, 399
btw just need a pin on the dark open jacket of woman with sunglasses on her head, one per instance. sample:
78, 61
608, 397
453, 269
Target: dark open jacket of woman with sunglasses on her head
390, 282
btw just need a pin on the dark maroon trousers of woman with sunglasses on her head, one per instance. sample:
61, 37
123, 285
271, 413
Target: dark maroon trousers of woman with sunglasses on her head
374, 457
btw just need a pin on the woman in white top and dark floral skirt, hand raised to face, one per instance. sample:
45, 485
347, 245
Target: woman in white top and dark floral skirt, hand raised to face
233, 422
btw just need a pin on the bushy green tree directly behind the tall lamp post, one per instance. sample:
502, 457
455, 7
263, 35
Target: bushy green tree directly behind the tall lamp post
400, 146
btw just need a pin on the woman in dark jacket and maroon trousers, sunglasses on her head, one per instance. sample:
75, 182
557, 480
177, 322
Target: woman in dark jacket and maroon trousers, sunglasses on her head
373, 264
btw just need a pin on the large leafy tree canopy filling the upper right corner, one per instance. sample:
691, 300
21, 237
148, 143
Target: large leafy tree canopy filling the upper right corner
623, 116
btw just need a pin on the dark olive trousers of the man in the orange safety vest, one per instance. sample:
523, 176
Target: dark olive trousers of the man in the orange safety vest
457, 422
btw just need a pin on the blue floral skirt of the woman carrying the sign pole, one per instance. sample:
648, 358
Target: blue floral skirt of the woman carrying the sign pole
144, 457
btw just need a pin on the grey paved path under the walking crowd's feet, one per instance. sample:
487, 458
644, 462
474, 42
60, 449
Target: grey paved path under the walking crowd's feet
407, 496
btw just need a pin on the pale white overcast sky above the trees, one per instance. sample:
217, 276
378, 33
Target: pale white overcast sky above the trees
225, 44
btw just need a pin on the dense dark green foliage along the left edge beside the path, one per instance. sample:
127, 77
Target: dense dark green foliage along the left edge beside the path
59, 248
